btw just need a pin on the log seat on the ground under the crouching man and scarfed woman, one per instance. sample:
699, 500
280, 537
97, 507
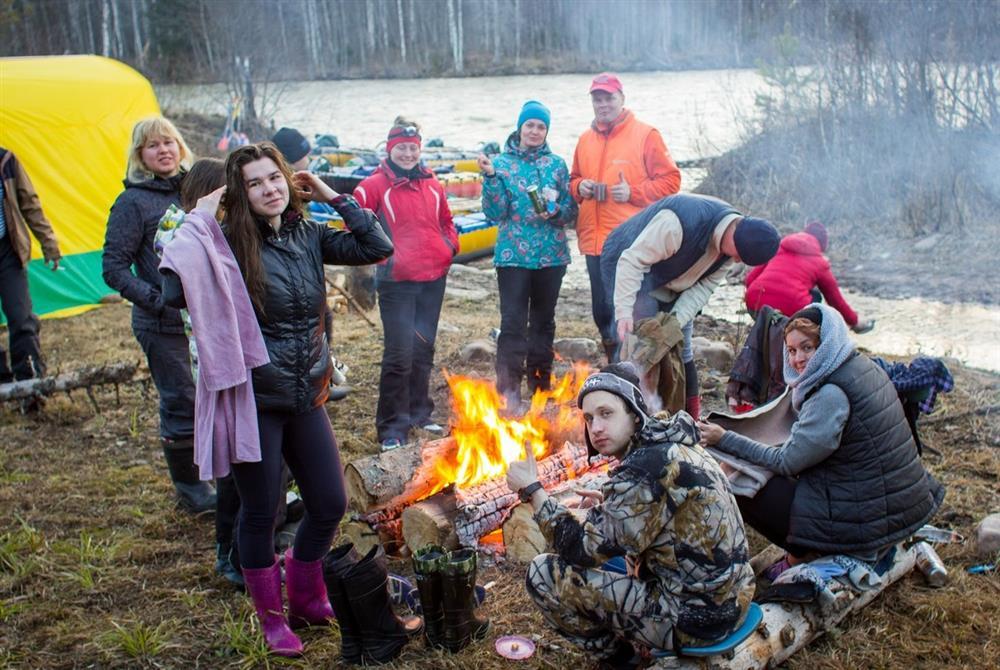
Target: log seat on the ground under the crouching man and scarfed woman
789, 627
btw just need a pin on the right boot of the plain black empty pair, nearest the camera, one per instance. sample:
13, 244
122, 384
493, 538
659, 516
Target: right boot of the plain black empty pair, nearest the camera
383, 634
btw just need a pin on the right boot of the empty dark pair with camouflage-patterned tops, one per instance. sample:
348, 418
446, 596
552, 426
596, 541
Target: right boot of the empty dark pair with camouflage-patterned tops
458, 582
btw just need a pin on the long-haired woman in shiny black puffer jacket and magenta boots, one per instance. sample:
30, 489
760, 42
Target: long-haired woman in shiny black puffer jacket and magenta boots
281, 256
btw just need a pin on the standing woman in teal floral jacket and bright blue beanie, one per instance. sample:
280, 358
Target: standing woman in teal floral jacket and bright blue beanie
531, 253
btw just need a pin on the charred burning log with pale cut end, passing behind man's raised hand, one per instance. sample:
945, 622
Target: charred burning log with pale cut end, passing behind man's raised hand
461, 517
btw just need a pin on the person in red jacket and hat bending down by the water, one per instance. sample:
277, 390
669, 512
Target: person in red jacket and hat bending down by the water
788, 282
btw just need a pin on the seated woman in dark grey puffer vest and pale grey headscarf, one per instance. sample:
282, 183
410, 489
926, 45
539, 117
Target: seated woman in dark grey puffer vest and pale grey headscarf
848, 480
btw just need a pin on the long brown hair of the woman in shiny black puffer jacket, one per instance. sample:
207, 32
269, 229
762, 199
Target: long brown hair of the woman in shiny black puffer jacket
243, 227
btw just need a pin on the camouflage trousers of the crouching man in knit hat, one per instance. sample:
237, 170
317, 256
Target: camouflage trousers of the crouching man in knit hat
592, 608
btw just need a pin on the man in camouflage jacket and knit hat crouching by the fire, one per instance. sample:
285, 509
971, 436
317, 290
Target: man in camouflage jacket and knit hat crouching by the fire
667, 509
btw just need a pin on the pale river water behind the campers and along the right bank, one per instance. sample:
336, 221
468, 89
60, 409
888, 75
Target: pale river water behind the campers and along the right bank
700, 114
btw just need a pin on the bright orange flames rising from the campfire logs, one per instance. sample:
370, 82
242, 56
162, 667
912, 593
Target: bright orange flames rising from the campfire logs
487, 441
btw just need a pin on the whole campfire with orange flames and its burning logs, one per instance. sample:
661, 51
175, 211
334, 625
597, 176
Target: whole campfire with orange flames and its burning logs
452, 491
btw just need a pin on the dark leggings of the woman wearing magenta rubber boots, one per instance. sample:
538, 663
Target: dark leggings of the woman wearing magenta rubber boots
309, 447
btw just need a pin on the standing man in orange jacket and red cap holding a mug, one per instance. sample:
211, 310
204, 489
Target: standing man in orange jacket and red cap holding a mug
620, 166
